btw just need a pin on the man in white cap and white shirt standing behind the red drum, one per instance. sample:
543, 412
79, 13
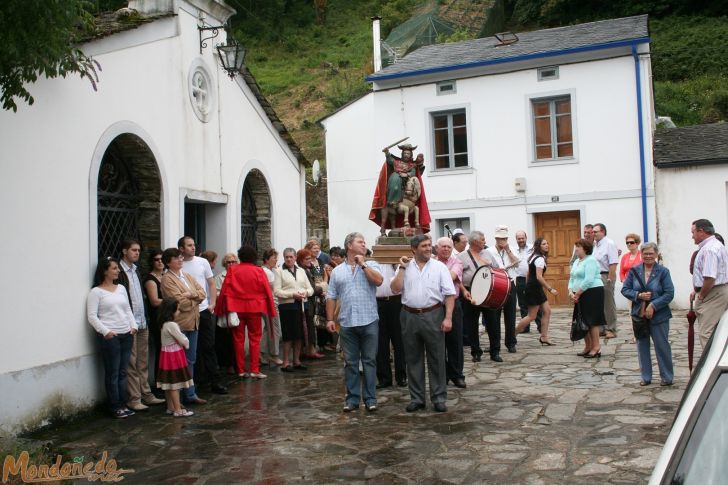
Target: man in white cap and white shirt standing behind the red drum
504, 257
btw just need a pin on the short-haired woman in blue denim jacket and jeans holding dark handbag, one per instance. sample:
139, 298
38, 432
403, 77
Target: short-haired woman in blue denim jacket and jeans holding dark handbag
650, 288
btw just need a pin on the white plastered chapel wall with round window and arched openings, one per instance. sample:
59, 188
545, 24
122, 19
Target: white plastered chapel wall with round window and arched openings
50, 162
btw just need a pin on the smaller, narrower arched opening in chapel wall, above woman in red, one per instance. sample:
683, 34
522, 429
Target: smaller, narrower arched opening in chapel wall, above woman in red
255, 212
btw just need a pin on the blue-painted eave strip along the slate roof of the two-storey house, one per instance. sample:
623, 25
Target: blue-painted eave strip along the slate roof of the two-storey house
504, 60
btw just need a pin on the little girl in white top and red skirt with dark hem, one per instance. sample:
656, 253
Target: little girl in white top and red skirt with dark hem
173, 372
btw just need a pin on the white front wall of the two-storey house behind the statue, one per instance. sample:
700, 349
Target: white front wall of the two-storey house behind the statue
602, 181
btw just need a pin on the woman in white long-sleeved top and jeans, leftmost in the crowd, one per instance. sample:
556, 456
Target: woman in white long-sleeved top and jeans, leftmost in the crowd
109, 313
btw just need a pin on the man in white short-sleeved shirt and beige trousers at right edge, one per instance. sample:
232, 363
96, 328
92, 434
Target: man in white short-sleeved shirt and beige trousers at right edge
710, 275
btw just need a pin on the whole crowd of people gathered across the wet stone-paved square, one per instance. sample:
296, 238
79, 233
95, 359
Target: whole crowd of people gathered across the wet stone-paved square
417, 314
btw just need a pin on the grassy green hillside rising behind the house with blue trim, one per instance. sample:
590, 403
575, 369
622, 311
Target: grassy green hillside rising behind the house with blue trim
309, 64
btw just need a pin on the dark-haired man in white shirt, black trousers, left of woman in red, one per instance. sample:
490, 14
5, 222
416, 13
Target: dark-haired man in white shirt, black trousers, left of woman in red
206, 363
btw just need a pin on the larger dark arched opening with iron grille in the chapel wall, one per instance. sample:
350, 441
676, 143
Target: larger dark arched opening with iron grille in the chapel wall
128, 197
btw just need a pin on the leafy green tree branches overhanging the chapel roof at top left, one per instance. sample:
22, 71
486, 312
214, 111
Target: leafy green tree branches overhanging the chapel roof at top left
41, 37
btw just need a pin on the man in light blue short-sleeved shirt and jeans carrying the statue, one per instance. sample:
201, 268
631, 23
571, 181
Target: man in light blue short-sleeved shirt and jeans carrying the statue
355, 283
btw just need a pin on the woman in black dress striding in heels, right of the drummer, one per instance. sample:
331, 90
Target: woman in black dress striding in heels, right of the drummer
535, 286
